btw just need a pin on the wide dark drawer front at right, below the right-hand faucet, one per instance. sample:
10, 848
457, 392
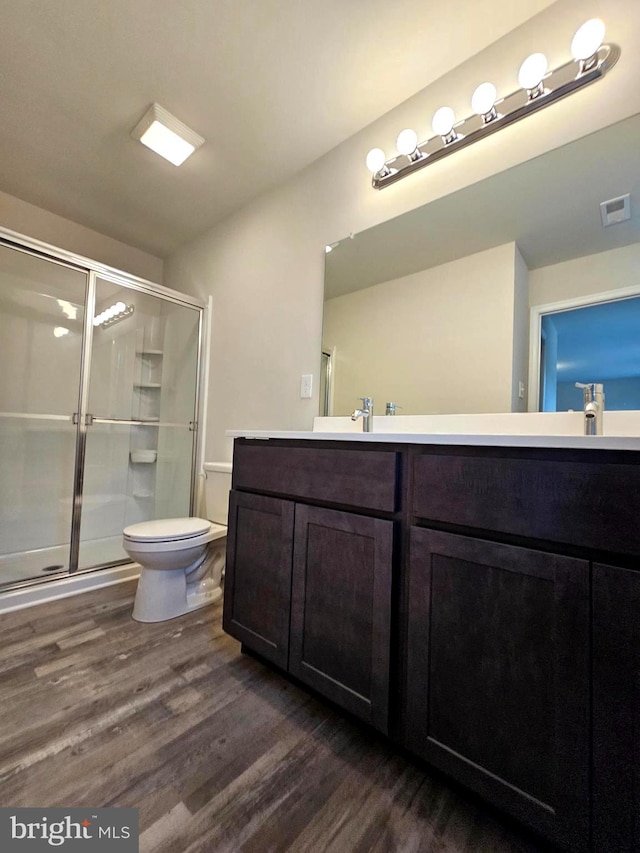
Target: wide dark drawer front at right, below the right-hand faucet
592, 504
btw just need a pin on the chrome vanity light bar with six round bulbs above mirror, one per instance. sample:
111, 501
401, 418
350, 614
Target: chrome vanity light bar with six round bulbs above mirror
538, 88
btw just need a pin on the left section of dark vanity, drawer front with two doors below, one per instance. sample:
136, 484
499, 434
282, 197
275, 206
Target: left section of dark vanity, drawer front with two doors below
309, 587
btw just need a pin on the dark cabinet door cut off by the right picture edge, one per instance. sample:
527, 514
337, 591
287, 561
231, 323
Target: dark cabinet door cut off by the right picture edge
616, 710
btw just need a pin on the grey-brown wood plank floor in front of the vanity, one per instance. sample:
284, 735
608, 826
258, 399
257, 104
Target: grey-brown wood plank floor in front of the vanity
217, 751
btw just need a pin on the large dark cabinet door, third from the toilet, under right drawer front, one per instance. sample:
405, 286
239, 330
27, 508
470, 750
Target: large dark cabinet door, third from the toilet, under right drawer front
498, 676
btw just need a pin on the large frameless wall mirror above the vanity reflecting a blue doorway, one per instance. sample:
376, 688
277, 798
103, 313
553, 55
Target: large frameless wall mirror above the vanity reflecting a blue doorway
433, 310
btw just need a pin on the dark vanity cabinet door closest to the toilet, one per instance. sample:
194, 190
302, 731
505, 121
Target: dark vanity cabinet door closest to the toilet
257, 597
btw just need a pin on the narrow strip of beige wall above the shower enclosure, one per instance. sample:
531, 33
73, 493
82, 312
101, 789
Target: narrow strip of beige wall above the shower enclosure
39, 224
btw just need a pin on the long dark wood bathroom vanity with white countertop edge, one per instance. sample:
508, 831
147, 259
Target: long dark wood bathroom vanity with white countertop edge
477, 599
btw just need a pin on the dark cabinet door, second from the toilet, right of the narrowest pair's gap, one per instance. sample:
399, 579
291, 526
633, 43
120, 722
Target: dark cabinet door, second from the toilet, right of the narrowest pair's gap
341, 609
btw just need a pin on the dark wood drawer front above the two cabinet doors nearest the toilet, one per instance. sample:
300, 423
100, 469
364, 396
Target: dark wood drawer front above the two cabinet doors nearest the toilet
358, 478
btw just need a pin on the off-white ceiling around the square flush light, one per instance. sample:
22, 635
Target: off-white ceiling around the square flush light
271, 84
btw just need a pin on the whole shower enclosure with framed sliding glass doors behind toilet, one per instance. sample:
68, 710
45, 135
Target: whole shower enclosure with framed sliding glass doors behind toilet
98, 409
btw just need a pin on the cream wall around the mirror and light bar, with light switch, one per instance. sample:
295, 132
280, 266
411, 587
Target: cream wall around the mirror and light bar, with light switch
264, 266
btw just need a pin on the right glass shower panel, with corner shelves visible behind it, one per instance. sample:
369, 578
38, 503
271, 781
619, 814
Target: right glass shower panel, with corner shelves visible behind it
142, 402
